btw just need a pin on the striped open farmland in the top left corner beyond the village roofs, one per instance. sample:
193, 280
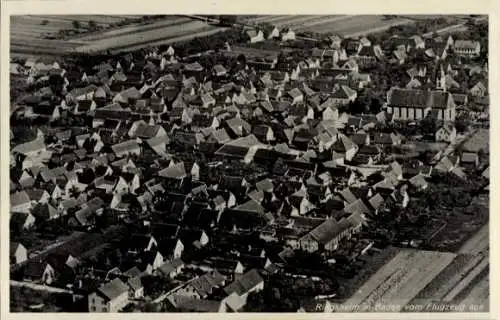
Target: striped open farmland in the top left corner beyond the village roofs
38, 34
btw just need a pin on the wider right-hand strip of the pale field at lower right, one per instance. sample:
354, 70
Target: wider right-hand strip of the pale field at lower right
429, 265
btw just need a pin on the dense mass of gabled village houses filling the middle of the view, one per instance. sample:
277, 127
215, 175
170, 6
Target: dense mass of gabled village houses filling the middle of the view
166, 151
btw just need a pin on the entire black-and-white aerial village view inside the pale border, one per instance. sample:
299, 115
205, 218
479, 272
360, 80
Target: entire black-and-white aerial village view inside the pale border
249, 163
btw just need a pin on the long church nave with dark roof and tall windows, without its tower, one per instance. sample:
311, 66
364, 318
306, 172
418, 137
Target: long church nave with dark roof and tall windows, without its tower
406, 104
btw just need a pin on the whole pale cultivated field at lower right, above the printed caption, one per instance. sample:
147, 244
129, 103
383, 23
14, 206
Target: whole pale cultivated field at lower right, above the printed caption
400, 280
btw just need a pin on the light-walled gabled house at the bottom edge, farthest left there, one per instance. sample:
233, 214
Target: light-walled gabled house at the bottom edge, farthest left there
110, 297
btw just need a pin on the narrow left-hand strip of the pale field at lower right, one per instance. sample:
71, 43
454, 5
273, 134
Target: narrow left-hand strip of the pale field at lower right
374, 281
